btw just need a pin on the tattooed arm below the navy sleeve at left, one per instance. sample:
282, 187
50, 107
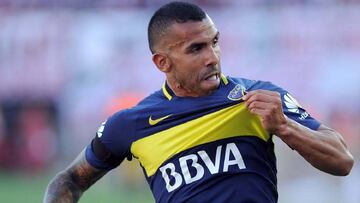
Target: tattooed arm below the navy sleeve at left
68, 185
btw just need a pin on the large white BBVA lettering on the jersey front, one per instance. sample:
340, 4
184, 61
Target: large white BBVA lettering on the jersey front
231, 158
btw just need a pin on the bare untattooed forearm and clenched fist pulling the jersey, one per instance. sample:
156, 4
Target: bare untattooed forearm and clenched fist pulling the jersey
324, 148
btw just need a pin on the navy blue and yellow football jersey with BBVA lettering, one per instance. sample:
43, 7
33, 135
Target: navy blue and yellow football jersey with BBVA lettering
203, 149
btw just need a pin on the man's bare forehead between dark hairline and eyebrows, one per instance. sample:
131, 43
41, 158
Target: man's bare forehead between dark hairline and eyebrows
192, 31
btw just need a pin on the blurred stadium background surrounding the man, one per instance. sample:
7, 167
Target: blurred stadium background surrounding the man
65, 66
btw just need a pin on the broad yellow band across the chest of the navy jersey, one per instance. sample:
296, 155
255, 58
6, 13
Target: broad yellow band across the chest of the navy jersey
152, 151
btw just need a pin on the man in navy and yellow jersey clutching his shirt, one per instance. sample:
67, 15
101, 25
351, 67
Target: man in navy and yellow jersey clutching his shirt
203, 137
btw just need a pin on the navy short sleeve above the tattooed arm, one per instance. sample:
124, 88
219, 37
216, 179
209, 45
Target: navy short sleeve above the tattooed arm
113, 135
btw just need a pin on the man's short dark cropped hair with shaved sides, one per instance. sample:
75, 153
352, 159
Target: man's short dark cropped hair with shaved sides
179, 12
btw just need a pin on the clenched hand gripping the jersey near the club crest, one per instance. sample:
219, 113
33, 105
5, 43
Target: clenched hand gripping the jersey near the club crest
267, 104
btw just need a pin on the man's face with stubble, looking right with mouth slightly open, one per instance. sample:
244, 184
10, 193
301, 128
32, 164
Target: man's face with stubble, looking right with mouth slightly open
194, 55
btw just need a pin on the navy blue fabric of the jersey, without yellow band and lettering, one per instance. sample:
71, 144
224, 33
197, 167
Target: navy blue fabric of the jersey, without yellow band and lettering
255, 183
